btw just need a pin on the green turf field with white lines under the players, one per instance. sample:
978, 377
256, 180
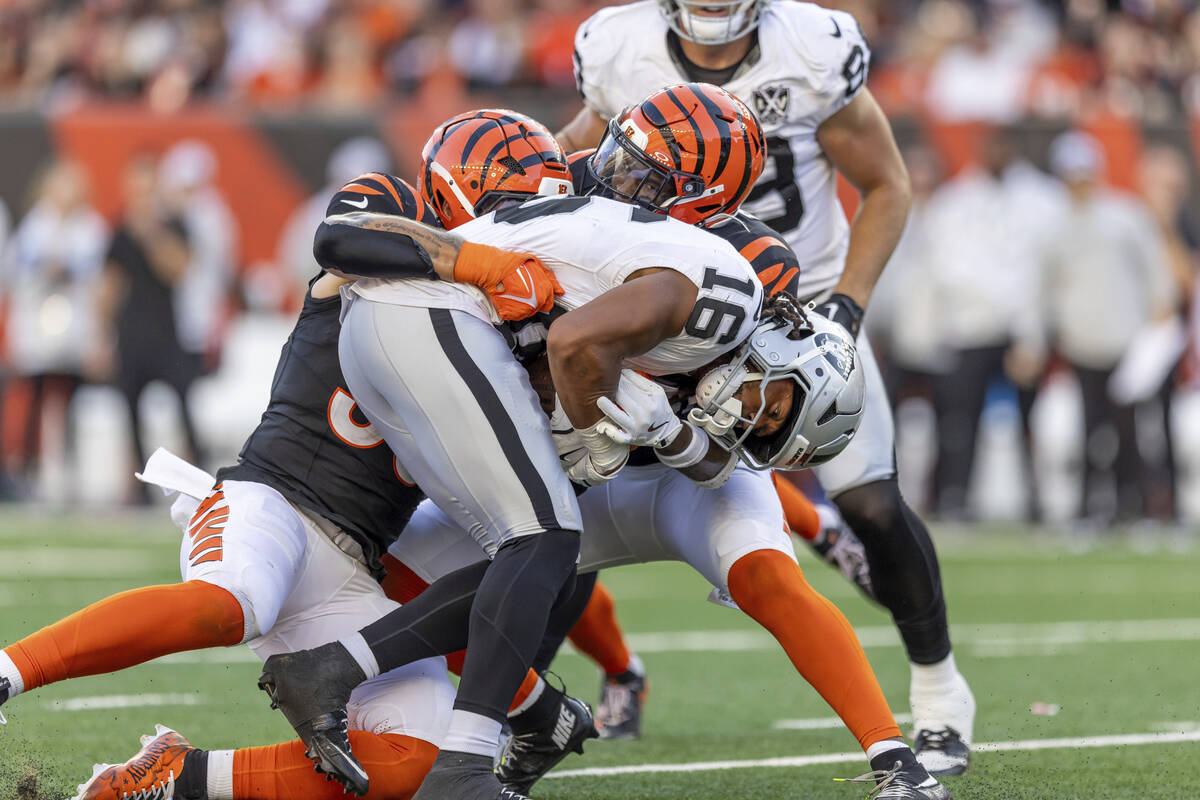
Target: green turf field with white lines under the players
1111, 636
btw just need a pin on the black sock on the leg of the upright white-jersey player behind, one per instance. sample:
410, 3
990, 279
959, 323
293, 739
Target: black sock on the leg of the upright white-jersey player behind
905, 575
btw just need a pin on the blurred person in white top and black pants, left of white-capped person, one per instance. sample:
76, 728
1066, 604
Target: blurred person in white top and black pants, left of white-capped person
991, 224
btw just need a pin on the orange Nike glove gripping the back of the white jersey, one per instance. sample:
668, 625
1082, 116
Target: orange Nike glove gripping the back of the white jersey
518, 284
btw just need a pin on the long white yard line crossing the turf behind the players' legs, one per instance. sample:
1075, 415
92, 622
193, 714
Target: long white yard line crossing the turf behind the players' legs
985, 641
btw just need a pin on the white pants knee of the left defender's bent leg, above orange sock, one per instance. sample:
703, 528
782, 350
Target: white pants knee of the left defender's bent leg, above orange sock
413, 701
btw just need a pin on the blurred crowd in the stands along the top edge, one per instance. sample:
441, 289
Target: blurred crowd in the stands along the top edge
958, 59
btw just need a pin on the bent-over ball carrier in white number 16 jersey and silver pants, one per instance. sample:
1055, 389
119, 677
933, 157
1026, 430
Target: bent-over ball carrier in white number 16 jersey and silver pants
429, 370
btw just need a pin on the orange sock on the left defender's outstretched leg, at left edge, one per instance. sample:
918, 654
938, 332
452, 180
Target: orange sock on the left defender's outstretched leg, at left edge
130, 629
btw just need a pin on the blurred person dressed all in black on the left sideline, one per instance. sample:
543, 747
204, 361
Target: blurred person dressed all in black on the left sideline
147, 261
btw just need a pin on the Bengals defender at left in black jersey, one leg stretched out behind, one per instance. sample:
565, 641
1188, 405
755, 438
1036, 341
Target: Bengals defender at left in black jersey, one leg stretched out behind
285, 549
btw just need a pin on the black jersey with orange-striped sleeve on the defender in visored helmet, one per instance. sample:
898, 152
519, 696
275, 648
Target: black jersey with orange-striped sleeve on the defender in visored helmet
759, 244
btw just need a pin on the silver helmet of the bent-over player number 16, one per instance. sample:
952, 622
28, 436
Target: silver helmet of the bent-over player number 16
827, 404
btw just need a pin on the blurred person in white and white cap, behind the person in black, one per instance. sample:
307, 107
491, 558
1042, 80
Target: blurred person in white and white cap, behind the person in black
187, 179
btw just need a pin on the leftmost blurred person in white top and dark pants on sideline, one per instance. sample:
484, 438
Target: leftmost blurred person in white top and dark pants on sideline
53, 270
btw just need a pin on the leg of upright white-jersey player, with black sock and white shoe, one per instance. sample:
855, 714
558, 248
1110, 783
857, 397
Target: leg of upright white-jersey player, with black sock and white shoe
905, 578
